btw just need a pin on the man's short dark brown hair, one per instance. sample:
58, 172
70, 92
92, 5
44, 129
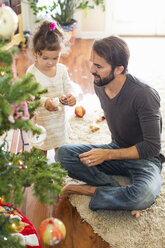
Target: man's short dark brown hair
114, 50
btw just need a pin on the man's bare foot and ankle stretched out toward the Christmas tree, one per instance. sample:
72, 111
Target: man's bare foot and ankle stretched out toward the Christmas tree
80, 189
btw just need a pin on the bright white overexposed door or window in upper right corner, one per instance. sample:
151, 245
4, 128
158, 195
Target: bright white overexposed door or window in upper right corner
142, 17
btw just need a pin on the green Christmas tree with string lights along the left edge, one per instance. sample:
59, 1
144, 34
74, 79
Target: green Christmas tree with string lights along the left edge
19, 99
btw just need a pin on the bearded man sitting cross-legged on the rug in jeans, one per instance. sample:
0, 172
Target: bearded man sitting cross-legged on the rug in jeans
132, 111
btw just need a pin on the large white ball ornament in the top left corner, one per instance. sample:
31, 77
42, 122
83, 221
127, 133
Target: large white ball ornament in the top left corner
8, 22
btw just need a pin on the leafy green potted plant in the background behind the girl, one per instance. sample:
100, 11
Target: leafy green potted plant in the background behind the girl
63, 11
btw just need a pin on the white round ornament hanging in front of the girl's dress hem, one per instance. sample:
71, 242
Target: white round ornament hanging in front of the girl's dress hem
38, 139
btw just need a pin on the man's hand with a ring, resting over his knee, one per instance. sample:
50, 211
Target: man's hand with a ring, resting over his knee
94, 157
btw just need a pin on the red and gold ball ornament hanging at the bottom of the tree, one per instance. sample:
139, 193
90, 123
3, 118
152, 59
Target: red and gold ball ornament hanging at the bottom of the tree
52, 231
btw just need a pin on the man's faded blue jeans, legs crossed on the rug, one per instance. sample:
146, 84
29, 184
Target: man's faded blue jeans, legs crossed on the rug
145, 175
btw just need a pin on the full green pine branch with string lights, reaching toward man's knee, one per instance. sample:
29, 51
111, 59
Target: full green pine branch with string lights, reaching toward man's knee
47, 180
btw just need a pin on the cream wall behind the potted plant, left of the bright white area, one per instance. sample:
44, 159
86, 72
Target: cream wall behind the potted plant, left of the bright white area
94, 25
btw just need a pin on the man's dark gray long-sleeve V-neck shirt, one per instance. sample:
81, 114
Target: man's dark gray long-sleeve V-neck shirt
133, 116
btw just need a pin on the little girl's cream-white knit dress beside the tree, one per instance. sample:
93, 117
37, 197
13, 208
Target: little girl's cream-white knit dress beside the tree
55, 122
